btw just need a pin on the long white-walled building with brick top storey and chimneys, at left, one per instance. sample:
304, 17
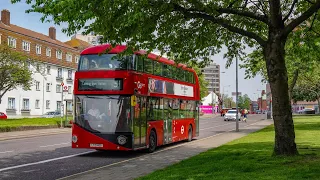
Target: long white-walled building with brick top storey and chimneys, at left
58, 61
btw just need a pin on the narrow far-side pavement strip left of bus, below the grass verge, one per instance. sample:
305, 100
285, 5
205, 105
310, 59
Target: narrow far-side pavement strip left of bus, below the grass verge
32, 133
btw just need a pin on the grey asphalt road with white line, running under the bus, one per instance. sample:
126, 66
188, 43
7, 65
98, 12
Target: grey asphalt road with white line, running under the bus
51, 157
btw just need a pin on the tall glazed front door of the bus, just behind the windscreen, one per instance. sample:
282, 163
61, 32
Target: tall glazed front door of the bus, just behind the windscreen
140, 122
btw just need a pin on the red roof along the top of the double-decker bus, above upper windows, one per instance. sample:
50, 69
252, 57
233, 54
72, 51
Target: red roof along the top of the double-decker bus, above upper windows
120, 48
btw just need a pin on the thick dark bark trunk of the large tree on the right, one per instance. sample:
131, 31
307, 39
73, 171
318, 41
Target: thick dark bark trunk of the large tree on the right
274, 53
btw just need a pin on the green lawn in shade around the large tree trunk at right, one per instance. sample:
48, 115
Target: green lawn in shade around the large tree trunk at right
250, 158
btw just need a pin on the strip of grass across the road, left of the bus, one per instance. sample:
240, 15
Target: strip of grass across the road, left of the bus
29, 124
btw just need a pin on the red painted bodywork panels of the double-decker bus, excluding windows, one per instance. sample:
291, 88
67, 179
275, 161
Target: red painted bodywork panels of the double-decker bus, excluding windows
134, 83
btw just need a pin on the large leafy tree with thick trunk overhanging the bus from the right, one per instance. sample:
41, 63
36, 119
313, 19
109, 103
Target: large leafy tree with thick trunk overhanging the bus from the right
190, 29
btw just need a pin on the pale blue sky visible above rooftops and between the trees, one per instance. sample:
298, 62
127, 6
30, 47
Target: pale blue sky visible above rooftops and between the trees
228, 79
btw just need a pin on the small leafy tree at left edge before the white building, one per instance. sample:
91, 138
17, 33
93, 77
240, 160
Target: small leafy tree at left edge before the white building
14, 71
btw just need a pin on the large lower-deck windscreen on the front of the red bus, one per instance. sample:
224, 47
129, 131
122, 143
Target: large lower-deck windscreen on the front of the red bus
103, 114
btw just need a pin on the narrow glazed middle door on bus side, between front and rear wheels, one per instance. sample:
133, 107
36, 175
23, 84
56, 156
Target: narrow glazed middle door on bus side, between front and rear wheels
167, 126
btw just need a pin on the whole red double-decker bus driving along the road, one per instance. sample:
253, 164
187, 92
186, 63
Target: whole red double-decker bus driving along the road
132, 102
